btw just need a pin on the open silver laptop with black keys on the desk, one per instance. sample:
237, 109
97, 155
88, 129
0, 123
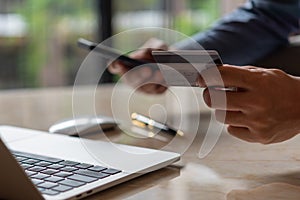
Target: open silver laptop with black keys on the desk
40, 165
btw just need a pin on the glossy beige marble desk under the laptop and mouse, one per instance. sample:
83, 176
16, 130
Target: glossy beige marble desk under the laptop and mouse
233, 170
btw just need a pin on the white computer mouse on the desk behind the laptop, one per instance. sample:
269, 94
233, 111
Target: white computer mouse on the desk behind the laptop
84, 125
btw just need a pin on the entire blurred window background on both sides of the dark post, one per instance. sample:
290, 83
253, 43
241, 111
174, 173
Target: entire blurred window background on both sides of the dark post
38, 37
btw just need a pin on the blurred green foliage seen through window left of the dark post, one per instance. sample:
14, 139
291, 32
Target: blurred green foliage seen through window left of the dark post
44, 19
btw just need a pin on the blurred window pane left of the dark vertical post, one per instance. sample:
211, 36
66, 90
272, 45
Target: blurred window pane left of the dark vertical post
38, 41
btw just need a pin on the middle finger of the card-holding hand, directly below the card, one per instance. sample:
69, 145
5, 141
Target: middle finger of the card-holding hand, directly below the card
221, 100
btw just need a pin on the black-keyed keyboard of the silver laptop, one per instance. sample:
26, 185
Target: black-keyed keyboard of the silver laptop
53, 176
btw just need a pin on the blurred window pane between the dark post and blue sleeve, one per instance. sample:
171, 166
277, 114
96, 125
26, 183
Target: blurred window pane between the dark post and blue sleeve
185, 16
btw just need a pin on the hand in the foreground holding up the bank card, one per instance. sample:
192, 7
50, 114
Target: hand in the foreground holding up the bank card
266, 107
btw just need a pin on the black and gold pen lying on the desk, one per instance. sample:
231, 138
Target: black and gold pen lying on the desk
143, 121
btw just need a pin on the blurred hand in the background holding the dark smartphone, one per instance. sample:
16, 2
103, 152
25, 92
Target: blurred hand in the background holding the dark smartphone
144, 78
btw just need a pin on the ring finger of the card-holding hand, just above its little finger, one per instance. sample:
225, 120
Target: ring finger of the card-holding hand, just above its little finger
232, 118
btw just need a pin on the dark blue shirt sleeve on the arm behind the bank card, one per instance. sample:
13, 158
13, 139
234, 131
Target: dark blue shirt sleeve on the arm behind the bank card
250, 32
